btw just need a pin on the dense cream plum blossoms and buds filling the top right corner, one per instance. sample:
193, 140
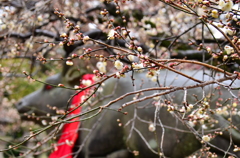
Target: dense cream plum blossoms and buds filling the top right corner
222, 15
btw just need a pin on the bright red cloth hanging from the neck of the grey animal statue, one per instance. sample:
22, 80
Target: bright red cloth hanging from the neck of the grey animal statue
70, 131
